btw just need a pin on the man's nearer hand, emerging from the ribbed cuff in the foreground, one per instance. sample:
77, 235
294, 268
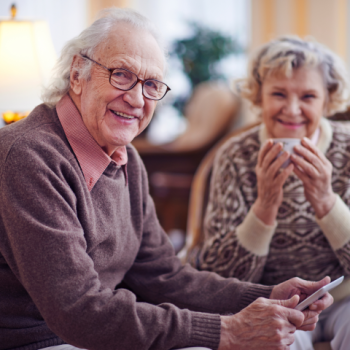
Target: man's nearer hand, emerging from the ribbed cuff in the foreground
264, 324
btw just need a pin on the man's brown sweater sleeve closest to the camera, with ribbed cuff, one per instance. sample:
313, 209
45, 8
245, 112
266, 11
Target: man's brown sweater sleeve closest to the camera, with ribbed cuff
44, 244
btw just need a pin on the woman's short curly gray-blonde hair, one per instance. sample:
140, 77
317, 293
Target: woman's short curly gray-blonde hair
281, 56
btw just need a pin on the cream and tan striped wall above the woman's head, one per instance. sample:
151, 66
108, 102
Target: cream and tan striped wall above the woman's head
325, 20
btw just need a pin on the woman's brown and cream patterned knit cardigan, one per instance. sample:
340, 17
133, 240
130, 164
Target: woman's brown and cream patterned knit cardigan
238, 244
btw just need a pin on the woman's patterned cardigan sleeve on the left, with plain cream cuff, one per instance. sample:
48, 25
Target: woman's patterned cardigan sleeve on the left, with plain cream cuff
236, 241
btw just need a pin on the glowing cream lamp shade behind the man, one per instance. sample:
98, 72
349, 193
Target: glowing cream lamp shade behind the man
27, 56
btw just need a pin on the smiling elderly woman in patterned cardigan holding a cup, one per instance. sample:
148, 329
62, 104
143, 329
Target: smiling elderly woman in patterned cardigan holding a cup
267, 221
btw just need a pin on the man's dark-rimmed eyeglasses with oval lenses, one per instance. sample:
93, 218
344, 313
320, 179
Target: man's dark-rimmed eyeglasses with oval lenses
125, 80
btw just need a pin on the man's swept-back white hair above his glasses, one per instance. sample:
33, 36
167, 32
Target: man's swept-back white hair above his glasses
86, 44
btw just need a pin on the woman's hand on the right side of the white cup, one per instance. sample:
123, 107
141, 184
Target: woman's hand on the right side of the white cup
315, 171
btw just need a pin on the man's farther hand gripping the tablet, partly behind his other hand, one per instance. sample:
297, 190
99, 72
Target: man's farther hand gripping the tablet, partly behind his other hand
297, 286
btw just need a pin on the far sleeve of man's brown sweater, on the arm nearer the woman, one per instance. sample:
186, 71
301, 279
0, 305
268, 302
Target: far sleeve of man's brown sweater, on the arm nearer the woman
157, 274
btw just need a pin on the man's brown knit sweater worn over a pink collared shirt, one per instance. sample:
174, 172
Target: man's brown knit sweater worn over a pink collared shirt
94, 269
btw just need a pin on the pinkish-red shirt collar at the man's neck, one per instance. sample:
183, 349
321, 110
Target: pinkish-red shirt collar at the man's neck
92, 159
